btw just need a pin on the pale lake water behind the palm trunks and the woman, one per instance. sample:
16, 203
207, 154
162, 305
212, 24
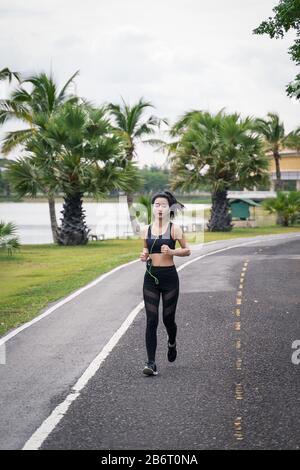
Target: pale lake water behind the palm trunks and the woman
106, 219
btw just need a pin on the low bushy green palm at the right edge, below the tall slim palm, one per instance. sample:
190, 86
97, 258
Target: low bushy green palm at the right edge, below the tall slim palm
285, 205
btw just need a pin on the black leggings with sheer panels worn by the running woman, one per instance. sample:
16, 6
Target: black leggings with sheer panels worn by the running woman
169, 288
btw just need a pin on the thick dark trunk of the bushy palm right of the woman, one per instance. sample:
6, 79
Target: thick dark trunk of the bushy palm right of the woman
220, 219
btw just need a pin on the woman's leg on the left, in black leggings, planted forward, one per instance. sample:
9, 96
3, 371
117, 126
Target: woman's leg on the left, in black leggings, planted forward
151, 299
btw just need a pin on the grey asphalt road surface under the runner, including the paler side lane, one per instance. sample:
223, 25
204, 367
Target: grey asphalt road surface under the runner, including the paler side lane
233, 384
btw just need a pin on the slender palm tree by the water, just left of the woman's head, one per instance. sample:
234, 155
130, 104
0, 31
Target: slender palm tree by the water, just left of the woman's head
132, 128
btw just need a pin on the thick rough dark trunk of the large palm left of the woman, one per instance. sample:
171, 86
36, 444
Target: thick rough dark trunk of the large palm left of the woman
73, 230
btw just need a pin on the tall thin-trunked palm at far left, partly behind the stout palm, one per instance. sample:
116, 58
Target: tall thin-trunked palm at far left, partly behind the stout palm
35, 108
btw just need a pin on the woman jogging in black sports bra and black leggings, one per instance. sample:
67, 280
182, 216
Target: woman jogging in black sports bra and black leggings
161, 275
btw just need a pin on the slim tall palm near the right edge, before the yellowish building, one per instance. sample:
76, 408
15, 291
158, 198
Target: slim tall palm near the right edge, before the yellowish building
275, 138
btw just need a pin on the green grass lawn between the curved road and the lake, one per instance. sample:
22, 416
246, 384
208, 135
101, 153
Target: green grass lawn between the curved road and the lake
40, 274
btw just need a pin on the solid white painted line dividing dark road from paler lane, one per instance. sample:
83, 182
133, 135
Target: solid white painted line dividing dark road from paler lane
40, 435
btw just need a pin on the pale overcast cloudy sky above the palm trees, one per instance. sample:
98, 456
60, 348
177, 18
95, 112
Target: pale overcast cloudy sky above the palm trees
180, 55
